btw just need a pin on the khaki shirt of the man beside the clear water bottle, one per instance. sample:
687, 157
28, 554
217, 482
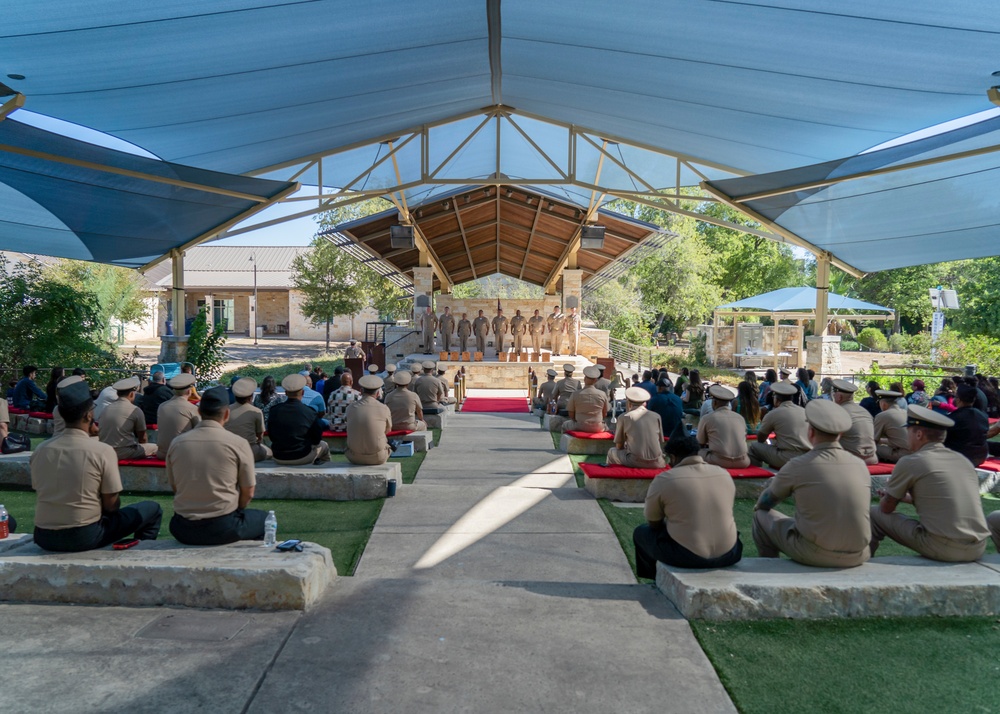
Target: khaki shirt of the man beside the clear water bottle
206, 467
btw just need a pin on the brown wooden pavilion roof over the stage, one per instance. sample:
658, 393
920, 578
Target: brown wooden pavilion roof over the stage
485, 230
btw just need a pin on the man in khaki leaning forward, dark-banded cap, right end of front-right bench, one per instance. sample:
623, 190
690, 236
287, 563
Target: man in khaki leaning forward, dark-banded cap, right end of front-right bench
943, 486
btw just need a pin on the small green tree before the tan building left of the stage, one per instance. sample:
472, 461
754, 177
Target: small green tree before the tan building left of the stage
331, 282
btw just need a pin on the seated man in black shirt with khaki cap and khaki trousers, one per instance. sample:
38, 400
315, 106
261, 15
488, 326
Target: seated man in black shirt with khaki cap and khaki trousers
296, 430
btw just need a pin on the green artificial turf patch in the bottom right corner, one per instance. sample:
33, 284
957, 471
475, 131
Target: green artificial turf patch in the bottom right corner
895, 664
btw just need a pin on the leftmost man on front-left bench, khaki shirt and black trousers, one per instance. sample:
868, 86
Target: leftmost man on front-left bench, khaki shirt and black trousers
78, 485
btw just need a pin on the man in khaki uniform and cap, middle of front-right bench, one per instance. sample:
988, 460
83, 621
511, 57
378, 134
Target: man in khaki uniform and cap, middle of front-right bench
832, 492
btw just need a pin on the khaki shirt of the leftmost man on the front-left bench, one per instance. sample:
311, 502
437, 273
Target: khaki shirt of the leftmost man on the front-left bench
69, 472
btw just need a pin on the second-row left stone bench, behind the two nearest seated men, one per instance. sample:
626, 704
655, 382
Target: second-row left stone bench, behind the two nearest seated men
327, 482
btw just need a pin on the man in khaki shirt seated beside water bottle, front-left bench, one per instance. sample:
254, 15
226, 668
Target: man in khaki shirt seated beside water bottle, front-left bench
211, 472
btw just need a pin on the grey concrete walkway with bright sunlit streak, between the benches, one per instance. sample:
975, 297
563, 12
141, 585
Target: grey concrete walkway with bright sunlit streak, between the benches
490, 584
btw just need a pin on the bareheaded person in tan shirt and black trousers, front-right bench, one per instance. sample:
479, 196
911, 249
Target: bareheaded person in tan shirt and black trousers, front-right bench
689, 514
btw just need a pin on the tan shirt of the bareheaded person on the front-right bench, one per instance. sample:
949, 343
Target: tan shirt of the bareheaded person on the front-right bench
696, 501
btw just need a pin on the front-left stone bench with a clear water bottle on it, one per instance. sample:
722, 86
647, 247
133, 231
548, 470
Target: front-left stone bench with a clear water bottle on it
243, 575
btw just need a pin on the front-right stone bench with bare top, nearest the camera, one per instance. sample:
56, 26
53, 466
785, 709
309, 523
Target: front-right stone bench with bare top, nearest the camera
892, 586
